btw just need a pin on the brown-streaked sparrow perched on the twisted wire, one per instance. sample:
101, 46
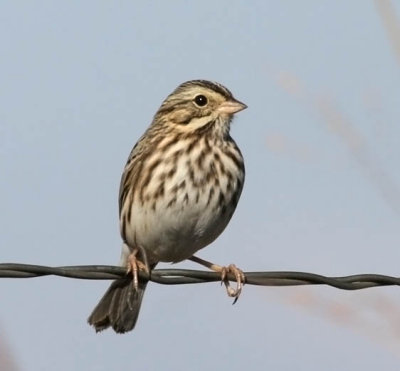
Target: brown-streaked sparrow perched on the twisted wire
178, 191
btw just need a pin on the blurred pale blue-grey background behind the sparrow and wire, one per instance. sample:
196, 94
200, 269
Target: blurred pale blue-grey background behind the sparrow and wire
80, 82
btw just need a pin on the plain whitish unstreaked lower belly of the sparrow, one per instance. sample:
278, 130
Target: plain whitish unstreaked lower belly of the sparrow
172, 233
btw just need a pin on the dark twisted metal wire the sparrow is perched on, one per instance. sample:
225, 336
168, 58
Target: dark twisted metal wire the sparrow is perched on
188, 276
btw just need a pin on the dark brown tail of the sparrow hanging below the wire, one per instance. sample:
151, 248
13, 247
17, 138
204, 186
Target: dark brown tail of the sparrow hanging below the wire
119, 307
